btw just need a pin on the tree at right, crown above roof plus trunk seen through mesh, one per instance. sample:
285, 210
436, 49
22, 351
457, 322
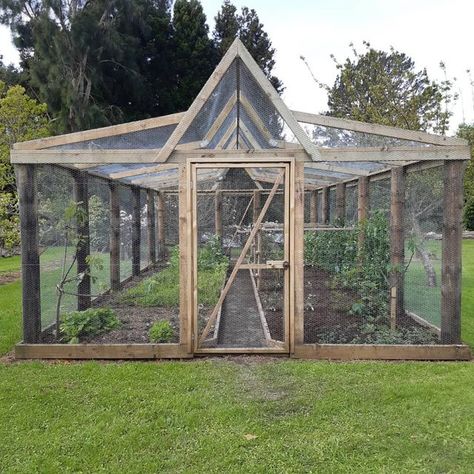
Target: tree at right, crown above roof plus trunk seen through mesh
385, 88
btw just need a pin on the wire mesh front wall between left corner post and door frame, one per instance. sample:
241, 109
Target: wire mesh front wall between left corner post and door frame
77, 244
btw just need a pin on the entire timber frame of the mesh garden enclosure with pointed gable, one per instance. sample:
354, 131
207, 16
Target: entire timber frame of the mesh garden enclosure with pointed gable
313, 172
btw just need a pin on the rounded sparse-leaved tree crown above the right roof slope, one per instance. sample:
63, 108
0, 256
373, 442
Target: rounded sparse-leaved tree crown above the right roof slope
385, 87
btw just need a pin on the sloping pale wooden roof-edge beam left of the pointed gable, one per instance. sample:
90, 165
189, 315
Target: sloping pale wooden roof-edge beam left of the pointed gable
97, 133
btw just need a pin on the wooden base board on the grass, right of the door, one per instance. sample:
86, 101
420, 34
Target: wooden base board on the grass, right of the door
382, 352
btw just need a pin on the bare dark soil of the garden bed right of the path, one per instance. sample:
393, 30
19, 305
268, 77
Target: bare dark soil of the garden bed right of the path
327, 318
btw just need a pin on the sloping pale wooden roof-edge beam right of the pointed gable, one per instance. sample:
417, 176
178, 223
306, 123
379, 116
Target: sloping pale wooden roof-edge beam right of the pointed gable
376, 129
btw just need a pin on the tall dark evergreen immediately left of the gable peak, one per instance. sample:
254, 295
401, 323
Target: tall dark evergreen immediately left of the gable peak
195, 54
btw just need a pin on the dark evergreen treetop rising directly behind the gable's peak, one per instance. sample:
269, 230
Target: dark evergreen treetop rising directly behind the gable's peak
246, 26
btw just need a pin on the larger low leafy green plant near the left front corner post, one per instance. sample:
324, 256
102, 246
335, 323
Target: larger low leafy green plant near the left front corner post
78, 324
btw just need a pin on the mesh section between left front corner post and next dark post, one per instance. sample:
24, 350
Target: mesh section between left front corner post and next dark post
57, 242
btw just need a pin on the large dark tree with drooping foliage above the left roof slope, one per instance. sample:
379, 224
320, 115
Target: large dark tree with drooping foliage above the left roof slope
94, 63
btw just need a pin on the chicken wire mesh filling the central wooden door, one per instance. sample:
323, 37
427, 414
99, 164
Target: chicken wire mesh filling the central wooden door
252, 313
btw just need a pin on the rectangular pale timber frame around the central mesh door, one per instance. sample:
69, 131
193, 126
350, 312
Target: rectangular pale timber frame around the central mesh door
190, 257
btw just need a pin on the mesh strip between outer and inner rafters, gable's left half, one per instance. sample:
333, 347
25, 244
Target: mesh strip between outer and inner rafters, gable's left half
211, 109
